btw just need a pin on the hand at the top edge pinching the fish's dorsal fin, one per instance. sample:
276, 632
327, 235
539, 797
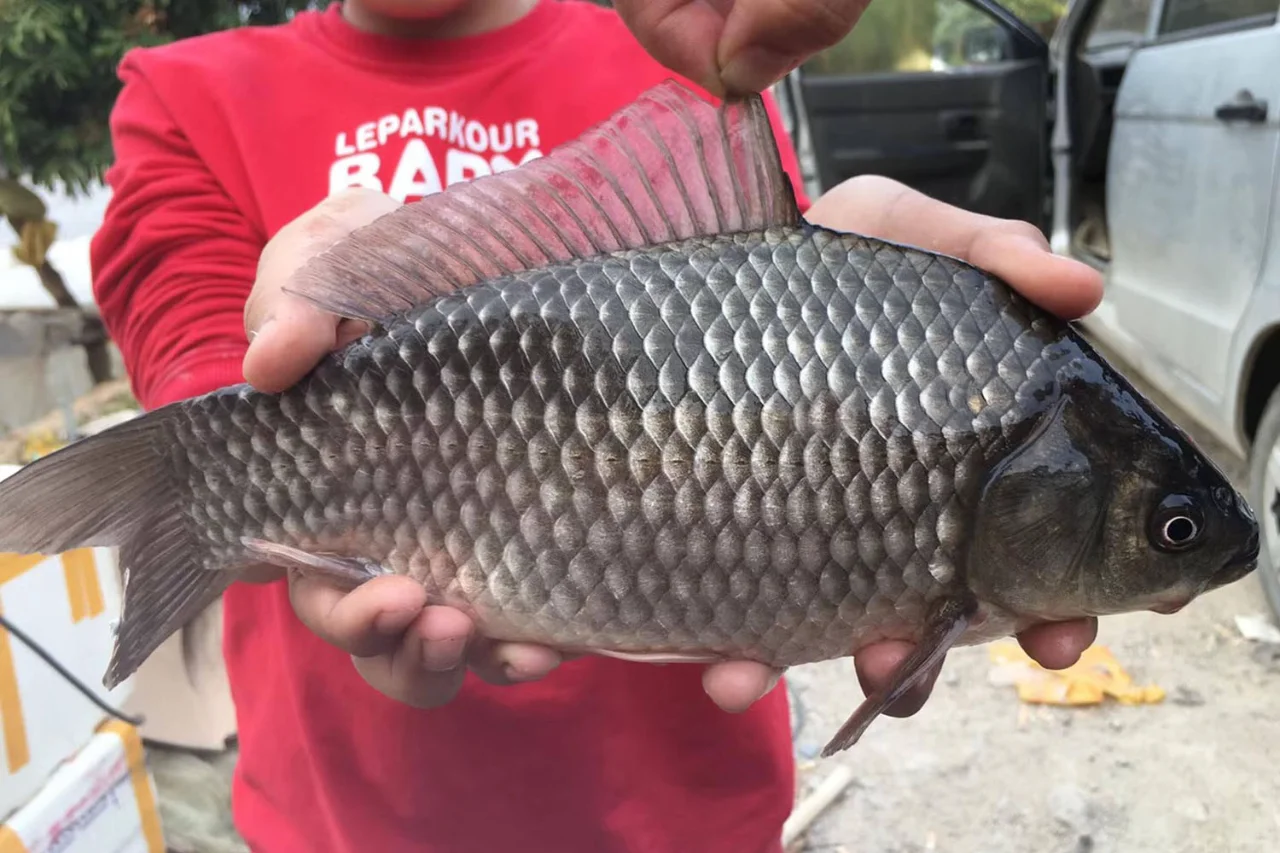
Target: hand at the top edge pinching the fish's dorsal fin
738, 47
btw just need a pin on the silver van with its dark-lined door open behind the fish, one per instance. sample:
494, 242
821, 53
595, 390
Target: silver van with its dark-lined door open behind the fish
1140, 135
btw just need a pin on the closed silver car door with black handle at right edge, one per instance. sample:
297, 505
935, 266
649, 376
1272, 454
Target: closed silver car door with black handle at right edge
1191, 188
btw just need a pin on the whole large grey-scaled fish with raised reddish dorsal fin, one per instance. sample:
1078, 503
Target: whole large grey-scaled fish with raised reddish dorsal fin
625, 400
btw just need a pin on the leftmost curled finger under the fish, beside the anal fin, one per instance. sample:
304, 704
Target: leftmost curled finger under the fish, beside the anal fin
364, 622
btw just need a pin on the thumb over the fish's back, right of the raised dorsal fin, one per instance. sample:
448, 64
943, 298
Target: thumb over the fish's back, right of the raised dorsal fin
1012, 250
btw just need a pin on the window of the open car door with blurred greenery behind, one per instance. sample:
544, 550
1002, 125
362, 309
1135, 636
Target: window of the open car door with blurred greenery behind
930, 37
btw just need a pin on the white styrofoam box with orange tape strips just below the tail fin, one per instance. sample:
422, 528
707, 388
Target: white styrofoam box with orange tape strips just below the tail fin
66, 604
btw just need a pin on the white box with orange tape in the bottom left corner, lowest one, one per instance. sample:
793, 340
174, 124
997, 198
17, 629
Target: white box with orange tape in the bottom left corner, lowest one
103, 801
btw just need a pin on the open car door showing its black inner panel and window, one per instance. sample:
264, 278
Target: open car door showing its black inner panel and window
948, 97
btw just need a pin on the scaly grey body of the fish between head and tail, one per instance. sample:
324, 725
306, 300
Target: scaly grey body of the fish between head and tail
568, 505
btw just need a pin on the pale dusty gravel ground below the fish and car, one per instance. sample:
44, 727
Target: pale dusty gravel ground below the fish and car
977, 772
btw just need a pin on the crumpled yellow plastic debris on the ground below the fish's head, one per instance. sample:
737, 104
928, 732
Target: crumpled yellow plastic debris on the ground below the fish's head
1094, 678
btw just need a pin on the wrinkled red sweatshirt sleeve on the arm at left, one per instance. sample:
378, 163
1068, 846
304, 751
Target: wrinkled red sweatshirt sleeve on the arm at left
175, 259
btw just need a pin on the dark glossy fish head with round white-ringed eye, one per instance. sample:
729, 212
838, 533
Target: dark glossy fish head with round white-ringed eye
1103, 507
